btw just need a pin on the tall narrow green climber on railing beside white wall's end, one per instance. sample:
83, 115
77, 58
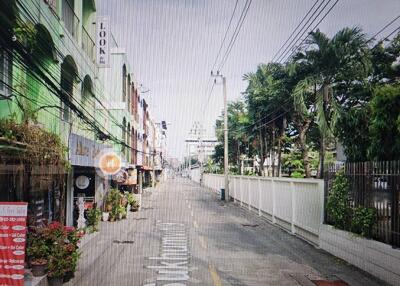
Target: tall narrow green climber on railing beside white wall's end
338, 204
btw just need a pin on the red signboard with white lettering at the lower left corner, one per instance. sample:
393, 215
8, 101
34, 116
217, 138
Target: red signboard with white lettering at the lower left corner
12, 242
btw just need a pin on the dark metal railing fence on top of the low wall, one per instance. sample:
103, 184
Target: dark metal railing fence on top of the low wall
375, 185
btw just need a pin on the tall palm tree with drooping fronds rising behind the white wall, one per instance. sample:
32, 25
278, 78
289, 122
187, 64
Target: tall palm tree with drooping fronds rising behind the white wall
339, 61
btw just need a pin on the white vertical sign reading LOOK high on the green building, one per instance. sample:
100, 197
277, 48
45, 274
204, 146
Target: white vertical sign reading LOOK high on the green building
102, 41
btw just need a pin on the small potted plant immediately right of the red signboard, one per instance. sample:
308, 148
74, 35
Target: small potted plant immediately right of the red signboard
37, 252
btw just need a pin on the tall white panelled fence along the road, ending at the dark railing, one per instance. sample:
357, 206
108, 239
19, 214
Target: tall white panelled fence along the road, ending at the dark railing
295, 204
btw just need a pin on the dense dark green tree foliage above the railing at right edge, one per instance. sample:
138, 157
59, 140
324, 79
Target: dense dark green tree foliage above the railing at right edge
384, 127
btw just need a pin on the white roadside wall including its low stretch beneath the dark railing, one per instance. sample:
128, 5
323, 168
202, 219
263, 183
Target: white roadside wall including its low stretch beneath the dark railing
297, 205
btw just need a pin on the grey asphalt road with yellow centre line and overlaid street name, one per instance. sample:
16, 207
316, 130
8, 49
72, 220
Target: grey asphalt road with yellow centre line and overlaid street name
185, 236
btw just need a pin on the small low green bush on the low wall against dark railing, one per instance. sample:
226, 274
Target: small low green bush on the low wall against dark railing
363, 220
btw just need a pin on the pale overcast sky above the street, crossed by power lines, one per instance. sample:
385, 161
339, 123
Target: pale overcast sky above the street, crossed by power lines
172, 45
